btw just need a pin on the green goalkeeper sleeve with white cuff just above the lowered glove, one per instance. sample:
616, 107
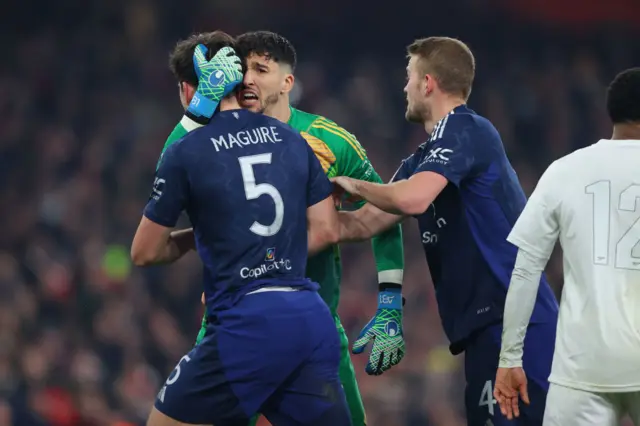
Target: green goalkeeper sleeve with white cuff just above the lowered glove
389, 255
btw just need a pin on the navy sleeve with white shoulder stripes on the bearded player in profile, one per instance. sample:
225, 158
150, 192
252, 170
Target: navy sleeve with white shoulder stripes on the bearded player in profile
456, 149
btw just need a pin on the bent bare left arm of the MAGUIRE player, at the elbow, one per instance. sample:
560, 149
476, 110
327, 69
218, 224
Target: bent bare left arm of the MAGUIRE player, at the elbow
154, 244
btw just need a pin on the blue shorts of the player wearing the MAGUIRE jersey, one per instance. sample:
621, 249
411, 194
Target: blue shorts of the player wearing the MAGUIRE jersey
274, 352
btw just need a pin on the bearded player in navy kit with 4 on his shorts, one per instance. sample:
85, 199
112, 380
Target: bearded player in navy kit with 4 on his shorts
464, 193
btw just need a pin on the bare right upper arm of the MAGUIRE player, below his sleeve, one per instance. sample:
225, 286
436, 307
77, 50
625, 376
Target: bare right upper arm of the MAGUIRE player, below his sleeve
323, 227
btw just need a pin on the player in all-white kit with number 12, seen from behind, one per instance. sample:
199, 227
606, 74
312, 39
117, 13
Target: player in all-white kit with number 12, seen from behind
590, 200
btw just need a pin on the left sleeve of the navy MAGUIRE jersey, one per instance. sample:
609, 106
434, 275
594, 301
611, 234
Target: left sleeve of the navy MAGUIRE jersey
170, 189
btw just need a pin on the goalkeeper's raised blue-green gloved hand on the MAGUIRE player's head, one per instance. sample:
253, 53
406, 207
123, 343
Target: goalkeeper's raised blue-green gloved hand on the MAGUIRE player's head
216, 79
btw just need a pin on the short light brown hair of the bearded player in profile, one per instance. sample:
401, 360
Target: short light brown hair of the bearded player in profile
449, 60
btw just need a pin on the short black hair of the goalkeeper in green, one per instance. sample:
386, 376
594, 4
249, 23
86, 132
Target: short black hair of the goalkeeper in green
265, 43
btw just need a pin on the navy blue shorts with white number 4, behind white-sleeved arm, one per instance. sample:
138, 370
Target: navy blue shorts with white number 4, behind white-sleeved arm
481, 363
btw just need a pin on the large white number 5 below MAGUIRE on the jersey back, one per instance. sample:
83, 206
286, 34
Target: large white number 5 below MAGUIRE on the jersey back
253, 191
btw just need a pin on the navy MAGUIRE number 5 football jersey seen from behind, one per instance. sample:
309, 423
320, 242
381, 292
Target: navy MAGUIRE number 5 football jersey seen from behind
245, 181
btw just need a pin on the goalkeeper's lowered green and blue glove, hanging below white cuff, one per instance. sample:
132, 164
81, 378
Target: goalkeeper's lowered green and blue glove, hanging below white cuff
385, 329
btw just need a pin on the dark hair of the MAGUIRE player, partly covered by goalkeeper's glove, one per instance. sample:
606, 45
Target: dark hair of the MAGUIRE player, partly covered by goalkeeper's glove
181, 59
